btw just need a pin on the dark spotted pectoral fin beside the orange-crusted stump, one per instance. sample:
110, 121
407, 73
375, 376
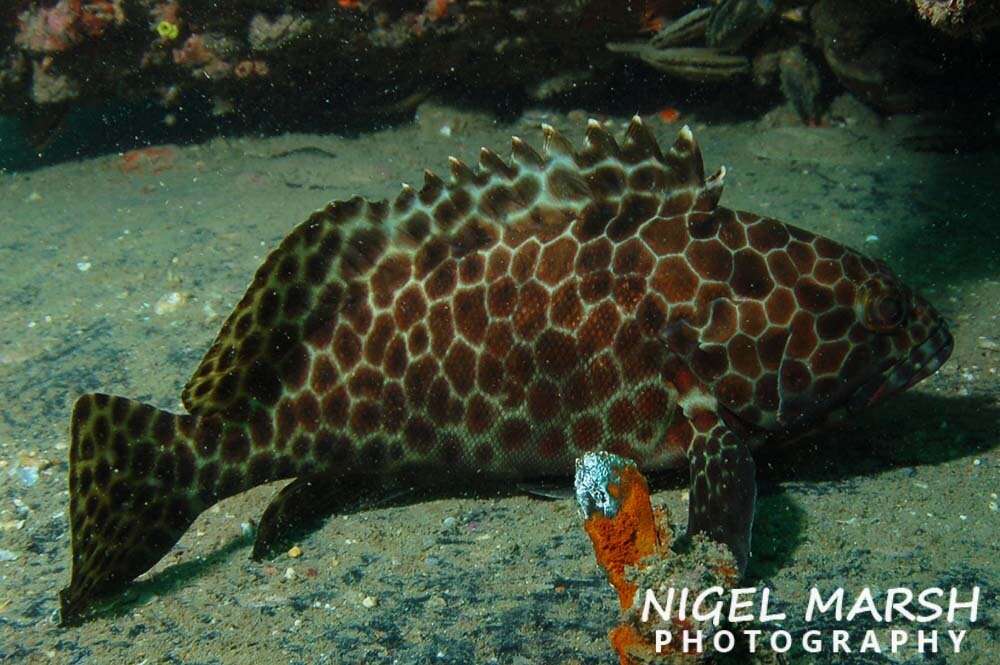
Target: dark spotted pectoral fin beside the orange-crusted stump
723, 490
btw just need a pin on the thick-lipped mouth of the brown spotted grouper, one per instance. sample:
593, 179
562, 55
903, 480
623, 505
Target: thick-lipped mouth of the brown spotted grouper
922, 361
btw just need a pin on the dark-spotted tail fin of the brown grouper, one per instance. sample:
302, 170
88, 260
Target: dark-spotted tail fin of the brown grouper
134, 490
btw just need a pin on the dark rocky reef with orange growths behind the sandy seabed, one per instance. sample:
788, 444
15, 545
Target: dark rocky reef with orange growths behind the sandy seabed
341, 64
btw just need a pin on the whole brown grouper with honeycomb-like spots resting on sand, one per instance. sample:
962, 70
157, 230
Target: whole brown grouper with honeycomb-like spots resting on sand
496, 327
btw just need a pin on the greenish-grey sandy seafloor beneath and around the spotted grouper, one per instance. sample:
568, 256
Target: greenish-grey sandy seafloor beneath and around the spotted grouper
907, 496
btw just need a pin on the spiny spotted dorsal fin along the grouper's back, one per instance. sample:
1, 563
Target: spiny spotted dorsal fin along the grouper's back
314, 288
